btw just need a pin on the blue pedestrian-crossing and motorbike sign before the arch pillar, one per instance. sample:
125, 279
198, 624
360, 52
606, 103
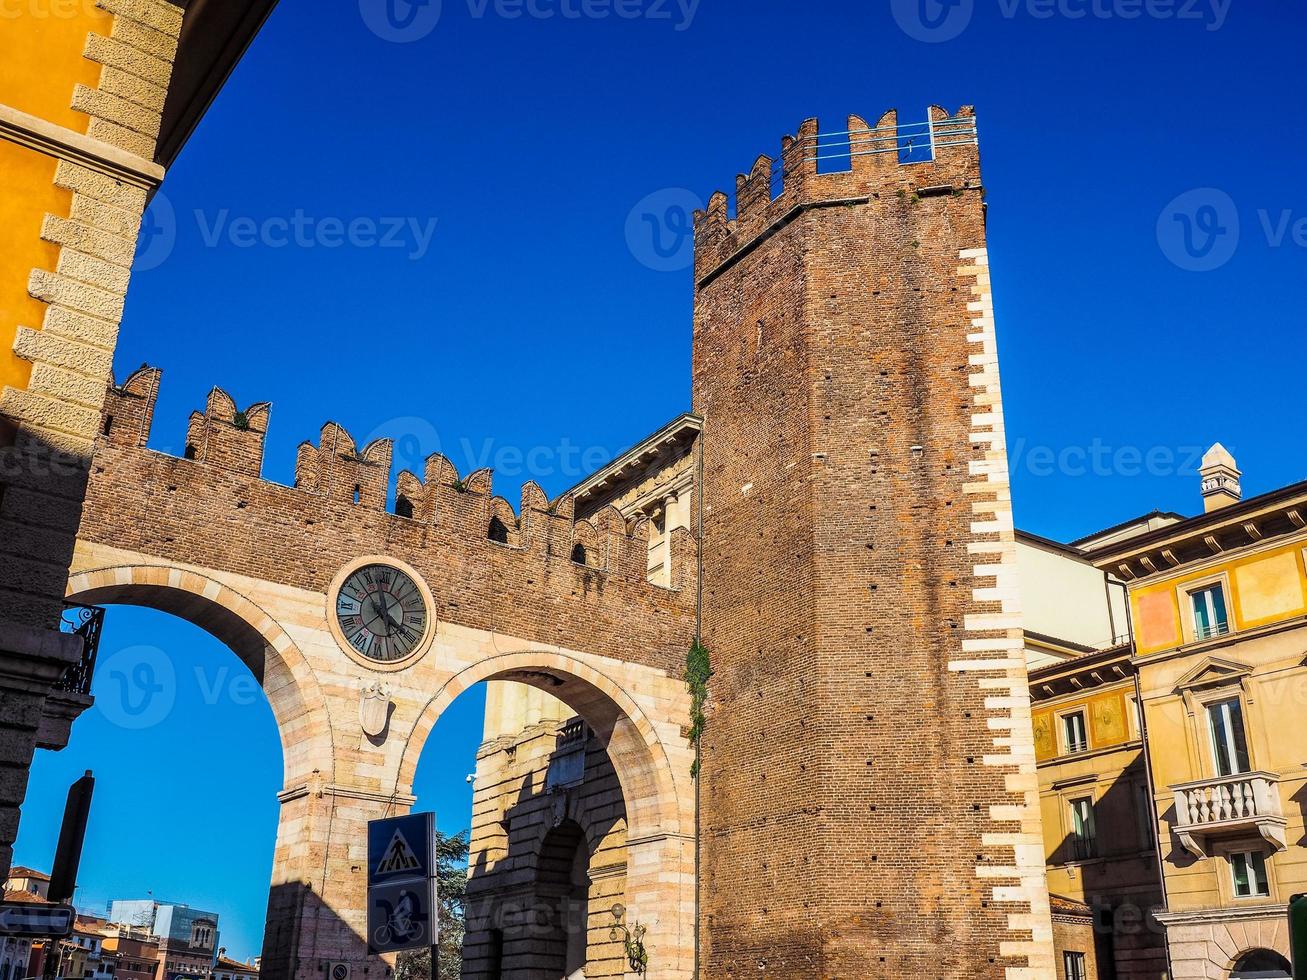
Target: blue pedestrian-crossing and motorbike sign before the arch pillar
402, 896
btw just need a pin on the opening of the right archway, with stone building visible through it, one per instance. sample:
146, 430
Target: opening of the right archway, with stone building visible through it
548, 826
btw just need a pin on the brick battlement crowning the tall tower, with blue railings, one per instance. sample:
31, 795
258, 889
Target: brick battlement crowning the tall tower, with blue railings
862, 163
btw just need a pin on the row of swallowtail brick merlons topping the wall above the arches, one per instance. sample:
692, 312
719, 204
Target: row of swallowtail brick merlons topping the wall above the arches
338, 482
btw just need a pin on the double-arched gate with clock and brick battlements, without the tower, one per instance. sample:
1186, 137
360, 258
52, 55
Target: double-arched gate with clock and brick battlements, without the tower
262, 566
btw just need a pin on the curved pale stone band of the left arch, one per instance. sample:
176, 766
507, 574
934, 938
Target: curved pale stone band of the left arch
245, 629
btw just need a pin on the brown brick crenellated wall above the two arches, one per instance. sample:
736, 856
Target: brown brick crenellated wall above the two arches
212, 509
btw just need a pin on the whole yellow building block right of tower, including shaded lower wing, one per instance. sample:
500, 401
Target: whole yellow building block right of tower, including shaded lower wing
1173, 774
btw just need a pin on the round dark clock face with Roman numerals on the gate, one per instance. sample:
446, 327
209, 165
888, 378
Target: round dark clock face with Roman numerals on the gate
382, 613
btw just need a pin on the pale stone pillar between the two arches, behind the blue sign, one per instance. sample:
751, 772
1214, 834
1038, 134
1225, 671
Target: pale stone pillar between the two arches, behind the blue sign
317, 904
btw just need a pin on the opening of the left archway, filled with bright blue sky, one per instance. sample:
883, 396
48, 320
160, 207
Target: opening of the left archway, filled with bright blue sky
188, 762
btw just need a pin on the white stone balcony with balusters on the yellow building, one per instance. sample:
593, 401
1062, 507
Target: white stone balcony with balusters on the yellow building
1208, 809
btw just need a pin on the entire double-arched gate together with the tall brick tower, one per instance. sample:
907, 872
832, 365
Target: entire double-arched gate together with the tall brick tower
870, 799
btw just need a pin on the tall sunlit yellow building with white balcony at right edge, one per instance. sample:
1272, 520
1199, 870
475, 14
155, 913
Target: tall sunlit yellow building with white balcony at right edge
1220, 608
